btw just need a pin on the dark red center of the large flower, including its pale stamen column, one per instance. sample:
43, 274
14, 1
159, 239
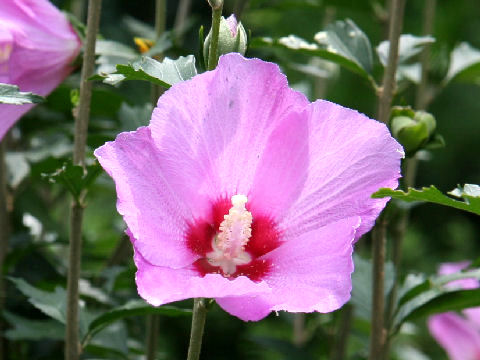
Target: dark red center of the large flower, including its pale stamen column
232, 257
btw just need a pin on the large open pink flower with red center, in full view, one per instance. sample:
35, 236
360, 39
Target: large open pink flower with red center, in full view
243, 191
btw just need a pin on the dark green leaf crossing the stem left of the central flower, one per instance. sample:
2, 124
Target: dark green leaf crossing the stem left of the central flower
75, 178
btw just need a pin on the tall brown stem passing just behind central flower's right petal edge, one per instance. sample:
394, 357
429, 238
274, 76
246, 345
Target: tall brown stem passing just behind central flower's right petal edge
378, 335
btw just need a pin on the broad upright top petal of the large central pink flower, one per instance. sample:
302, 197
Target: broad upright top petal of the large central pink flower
218, 126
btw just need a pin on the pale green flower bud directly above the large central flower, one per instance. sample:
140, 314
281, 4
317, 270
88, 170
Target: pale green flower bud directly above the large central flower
231, 38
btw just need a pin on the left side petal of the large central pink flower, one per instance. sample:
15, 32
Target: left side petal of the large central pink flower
155, 208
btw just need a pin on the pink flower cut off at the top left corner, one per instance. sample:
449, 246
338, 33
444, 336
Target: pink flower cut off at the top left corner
37, 45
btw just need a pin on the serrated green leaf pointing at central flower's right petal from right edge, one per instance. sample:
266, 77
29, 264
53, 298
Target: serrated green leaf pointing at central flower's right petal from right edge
433, 195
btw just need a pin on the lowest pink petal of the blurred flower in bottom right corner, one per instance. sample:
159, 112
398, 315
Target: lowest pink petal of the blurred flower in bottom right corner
459, 337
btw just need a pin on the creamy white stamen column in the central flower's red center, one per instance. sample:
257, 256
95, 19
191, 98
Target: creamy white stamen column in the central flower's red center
235, 231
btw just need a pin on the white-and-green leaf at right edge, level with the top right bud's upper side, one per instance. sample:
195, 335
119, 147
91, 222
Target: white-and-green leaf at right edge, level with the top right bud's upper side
464, 64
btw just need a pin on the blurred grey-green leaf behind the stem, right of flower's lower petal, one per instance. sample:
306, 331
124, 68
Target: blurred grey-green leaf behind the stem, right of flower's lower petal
362, 285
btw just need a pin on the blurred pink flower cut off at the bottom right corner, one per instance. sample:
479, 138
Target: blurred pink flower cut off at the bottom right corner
458, 334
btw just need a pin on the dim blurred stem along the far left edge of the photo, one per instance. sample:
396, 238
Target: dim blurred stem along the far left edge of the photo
4, 235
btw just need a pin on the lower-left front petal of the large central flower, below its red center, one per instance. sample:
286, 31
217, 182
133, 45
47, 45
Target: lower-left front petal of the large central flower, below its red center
159, 285
